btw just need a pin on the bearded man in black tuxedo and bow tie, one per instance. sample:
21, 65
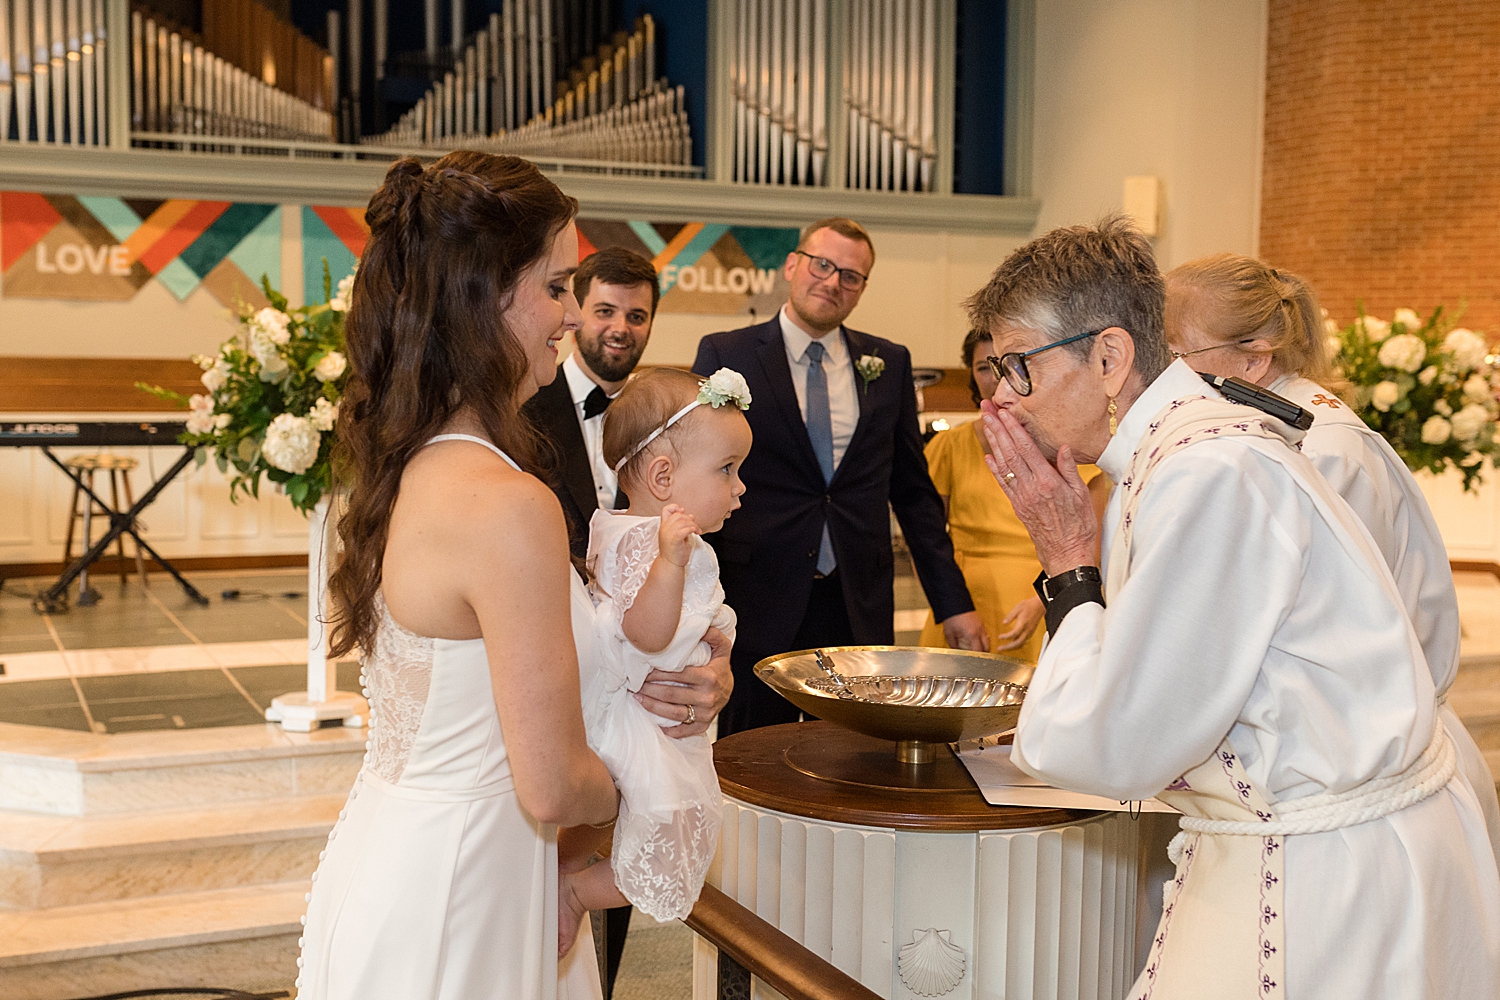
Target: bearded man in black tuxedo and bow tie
619, 293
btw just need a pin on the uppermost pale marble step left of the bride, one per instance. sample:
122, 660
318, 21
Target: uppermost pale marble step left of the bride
67, 773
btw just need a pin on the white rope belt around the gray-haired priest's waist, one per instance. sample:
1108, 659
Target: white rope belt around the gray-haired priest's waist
1370, 801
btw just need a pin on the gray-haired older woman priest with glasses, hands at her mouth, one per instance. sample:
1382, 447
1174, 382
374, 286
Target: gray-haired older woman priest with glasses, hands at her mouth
1249, 660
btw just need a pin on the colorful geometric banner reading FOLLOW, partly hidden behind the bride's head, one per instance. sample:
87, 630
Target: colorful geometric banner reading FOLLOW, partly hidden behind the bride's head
704, 268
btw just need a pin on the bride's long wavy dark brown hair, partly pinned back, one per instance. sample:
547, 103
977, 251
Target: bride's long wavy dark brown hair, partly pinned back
427, 338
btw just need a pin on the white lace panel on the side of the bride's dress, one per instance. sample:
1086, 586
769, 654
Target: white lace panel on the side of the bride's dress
398, 675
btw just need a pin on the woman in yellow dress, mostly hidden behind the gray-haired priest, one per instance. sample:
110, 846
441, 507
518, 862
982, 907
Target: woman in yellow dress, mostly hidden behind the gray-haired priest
991, 545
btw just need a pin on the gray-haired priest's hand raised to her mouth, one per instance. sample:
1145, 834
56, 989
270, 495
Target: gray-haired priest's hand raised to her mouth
1052, 501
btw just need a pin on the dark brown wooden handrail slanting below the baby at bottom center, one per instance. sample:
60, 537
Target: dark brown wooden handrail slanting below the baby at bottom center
770, 954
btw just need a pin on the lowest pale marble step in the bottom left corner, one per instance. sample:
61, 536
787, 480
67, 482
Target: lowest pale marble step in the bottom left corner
244, 939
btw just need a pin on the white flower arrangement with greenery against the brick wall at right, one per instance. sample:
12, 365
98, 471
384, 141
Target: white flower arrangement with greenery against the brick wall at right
1427, 388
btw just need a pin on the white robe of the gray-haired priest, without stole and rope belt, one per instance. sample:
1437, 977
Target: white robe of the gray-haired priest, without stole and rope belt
1244, 615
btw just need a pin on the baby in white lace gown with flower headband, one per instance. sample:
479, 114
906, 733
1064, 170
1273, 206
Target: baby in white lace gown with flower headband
677, 445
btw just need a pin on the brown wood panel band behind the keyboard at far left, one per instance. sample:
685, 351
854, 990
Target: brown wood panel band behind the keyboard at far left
92, 386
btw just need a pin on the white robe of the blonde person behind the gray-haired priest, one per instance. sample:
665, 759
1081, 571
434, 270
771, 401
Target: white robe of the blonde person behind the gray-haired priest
1372, 478
